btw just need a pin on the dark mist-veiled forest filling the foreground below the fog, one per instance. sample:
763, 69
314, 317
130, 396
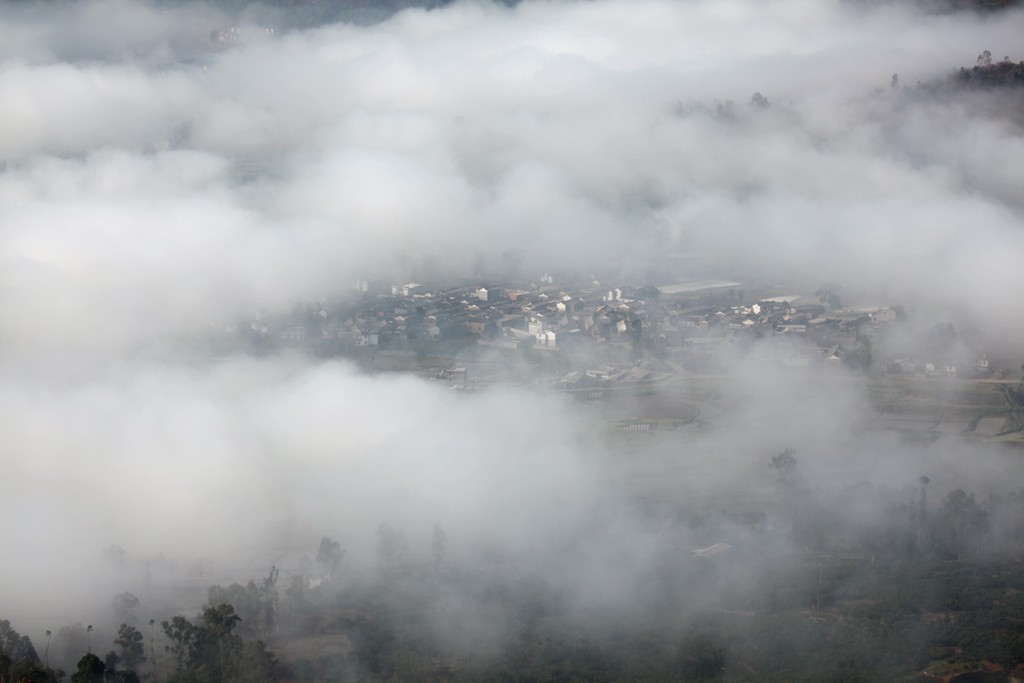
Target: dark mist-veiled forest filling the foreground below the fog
866, 584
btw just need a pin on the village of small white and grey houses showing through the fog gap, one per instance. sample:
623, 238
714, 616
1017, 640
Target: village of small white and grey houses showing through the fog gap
702, 333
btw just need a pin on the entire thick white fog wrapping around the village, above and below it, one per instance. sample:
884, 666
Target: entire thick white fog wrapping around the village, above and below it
155, 187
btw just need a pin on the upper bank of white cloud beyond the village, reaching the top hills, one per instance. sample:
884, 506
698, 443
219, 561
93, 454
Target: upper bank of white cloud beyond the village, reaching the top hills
580, 133
